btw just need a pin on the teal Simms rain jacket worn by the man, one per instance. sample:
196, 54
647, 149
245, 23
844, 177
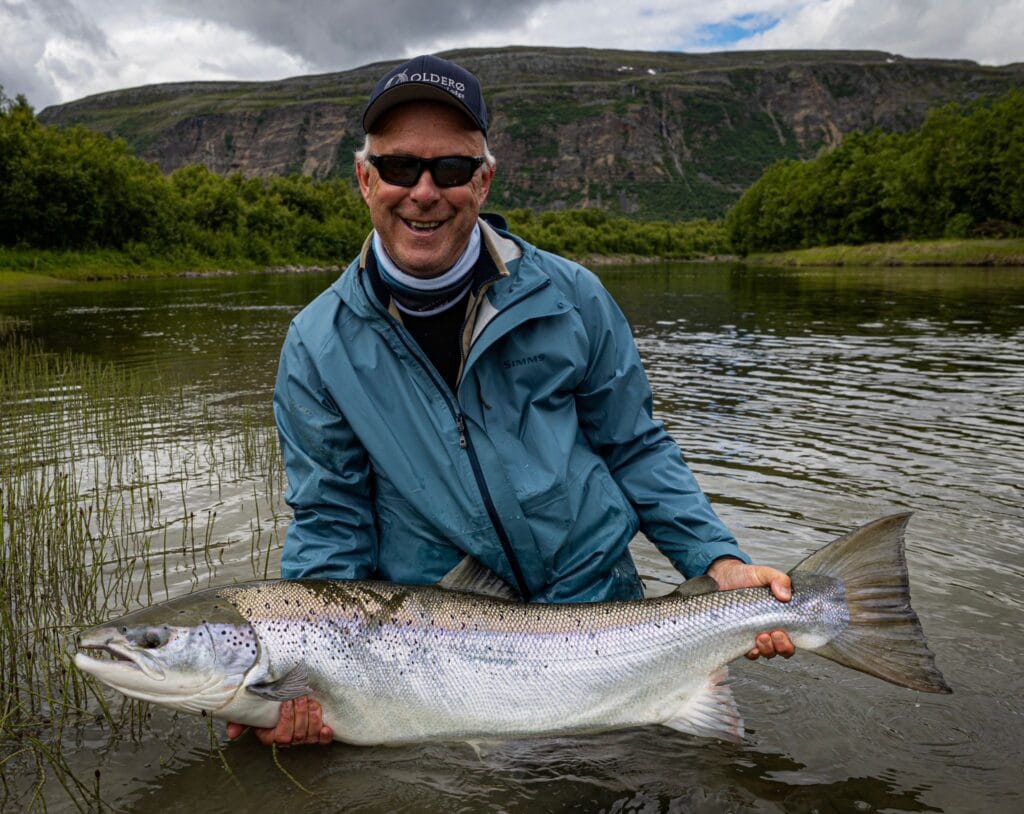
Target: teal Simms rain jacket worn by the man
543, 466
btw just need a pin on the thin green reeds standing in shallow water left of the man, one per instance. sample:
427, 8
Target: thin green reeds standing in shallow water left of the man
116, 492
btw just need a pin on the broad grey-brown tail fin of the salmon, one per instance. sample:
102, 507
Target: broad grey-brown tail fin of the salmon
884, 637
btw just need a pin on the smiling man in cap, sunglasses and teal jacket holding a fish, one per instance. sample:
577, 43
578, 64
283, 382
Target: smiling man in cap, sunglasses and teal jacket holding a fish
460, 393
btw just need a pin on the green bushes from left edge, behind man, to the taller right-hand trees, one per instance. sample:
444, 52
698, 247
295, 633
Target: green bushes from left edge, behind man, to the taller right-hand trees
76, 190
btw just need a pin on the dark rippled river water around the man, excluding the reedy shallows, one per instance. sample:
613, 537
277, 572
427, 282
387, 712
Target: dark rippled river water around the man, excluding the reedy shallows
807, 403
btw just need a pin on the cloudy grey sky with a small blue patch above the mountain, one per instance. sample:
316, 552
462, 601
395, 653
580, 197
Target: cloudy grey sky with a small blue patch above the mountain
59, 51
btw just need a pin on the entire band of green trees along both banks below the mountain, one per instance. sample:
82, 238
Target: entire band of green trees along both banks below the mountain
960, 176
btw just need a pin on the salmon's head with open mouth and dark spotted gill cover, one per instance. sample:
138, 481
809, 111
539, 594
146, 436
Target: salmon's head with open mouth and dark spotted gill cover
191, 655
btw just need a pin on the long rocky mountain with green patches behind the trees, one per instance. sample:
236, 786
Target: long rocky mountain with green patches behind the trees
657, 135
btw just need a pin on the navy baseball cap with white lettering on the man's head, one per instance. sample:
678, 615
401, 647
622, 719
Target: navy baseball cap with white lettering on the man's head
431, 79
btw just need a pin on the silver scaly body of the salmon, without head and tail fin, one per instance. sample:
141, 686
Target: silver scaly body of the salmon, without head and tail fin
395, 664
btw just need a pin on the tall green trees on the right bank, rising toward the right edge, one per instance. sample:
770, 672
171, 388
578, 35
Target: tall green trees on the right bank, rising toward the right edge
960, 176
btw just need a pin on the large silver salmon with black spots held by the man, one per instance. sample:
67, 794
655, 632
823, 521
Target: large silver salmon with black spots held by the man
392, 664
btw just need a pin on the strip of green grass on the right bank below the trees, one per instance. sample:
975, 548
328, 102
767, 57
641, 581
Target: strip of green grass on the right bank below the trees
1008, 252
